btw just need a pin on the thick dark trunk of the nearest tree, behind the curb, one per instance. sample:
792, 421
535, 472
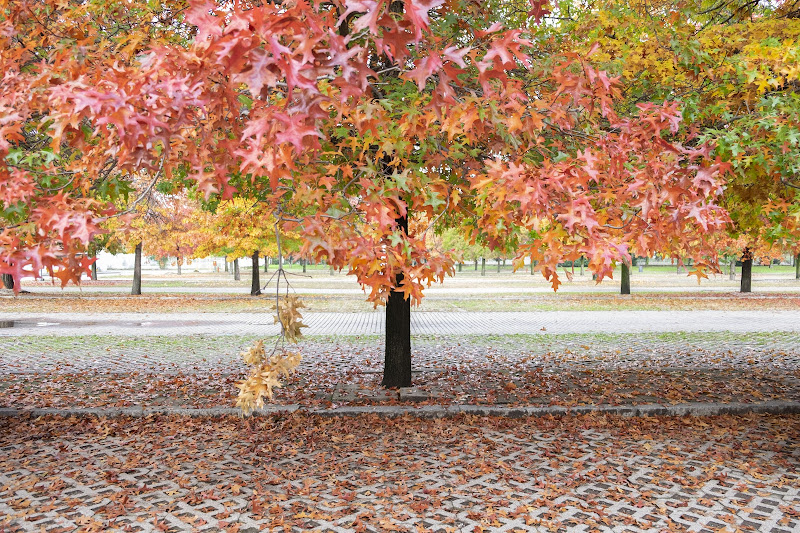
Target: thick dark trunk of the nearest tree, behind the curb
397, 355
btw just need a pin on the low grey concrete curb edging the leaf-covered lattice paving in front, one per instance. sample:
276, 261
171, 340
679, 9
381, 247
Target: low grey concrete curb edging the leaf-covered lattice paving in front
778, 407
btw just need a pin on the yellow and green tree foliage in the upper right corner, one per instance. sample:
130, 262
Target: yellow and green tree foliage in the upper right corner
733, 68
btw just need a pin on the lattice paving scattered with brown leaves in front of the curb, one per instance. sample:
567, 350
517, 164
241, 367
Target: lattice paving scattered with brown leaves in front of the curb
303, 473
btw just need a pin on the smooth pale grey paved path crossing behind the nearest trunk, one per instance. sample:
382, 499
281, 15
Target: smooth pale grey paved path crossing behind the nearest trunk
436, 323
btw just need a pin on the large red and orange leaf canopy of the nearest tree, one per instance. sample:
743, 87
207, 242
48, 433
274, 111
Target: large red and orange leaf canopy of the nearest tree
344, 119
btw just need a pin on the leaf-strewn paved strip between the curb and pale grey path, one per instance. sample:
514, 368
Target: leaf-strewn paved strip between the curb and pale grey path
564, 370
